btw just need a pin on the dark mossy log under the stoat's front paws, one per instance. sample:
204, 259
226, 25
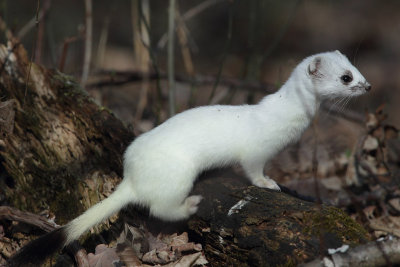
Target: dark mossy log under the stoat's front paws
243, 225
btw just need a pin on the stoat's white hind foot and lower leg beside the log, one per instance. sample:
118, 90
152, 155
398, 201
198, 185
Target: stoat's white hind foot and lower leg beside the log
171, 211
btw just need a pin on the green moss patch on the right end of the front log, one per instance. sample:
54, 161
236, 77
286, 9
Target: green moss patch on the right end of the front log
334, 220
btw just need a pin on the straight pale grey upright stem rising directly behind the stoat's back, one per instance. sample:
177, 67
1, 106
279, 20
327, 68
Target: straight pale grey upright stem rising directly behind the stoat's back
171, 65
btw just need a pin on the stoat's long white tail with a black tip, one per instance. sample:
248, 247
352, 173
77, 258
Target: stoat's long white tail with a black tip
39, 249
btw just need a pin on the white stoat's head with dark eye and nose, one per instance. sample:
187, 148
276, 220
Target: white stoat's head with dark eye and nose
333, 75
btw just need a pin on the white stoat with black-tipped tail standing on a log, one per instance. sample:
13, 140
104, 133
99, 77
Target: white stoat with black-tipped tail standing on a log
161, 166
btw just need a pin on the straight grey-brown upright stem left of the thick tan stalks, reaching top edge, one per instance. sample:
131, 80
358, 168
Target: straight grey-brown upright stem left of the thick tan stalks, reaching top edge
88, 42
